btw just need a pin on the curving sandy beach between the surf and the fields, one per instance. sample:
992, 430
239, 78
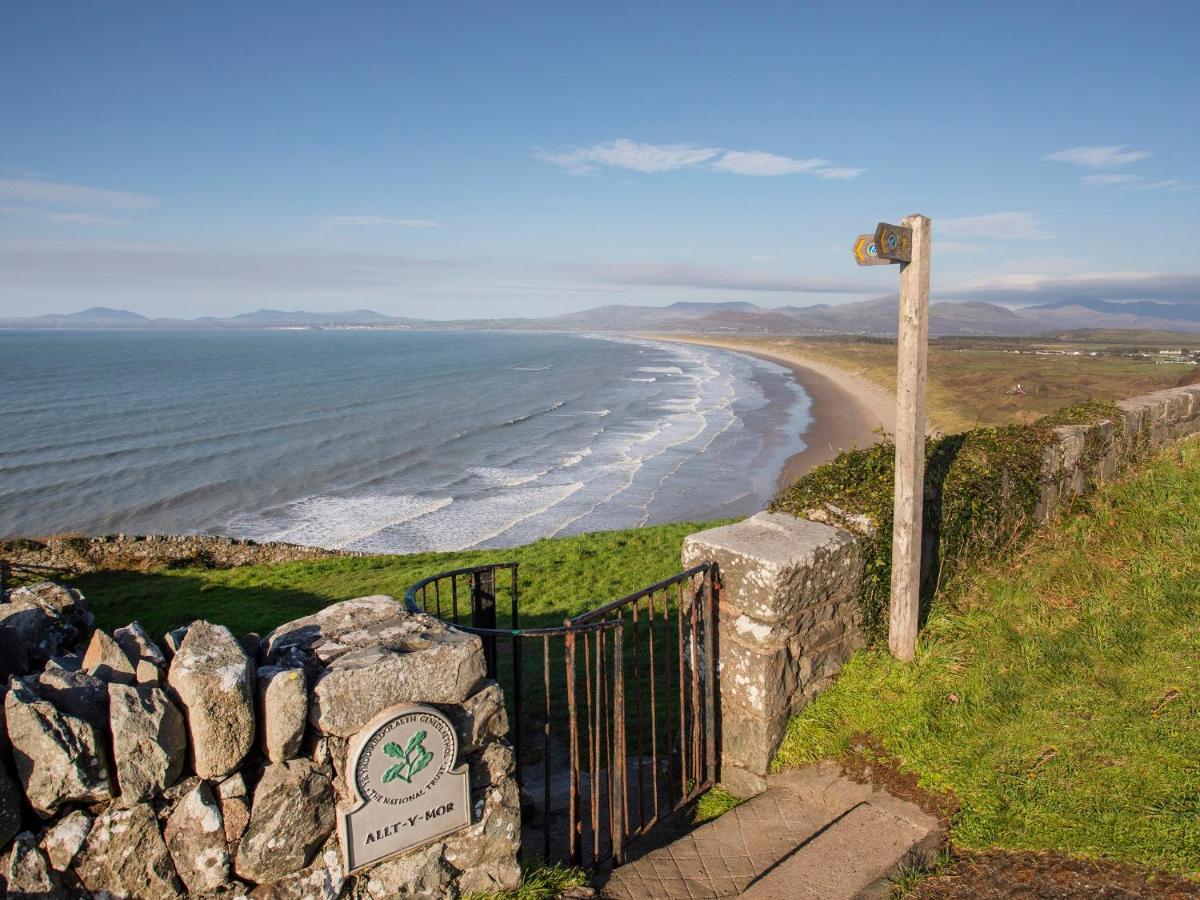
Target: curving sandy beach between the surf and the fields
847, 409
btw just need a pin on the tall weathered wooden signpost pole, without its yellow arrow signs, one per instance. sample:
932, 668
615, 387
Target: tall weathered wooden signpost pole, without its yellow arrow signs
907, 531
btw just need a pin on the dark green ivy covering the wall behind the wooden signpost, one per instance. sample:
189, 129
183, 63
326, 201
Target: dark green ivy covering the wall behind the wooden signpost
982, 490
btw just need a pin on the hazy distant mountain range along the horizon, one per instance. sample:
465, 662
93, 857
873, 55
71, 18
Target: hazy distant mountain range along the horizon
868, 317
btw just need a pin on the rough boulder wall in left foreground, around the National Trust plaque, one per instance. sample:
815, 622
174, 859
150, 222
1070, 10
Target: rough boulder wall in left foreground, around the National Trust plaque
208, 765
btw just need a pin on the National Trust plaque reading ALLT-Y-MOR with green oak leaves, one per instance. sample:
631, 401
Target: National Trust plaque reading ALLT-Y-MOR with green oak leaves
409, 791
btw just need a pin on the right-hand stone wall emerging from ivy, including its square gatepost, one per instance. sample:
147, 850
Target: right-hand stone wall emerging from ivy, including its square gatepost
789, 614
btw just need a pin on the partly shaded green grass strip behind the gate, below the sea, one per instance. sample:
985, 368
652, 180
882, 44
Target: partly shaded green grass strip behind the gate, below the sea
557, 579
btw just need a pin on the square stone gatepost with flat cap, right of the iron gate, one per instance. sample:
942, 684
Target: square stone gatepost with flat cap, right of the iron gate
788, 621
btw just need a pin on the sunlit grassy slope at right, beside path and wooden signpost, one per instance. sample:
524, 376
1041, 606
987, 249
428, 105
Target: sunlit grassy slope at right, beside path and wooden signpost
1059, 699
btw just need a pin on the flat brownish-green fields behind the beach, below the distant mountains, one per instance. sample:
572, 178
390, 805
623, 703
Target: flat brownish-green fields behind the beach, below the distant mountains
969, 379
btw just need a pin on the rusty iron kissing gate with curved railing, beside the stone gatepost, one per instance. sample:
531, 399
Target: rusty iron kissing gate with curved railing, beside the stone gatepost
691, 748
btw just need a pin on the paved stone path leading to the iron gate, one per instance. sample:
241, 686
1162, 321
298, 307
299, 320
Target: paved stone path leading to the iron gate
814, 833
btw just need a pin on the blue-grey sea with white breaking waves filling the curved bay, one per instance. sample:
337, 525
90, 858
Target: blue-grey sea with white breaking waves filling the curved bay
388, 442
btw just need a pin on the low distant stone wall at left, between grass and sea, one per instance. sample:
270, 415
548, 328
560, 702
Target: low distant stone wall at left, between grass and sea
141, 553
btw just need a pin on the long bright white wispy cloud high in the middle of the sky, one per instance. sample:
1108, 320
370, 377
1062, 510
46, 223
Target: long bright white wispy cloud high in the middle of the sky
632, 155
